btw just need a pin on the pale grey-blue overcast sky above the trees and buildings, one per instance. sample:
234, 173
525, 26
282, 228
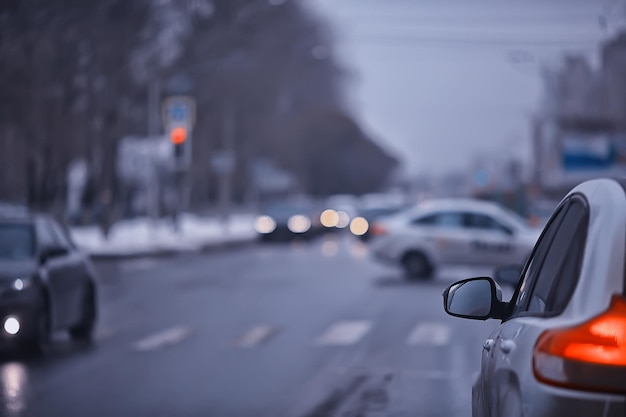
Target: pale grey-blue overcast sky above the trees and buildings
441, 82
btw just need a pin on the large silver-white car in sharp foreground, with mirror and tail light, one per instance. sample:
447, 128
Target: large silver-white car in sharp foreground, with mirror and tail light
561, 347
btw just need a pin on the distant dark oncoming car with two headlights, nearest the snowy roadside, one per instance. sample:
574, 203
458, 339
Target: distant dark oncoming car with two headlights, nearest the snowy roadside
288, 220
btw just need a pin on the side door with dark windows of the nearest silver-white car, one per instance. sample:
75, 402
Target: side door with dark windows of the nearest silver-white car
546, 285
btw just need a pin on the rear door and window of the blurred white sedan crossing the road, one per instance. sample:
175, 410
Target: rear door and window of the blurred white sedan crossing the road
443, 232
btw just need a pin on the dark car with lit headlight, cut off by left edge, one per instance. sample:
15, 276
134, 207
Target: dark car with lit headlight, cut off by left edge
46, 283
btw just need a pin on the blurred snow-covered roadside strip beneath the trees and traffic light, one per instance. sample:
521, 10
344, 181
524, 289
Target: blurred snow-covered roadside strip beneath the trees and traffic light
145, 237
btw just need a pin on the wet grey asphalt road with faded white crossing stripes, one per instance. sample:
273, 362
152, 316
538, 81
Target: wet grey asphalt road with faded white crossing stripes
297, 330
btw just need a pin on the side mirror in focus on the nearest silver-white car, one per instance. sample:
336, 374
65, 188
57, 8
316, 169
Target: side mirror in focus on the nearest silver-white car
474, 298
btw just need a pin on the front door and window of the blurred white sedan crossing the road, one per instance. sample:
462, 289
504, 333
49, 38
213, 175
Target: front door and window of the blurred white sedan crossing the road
492, 242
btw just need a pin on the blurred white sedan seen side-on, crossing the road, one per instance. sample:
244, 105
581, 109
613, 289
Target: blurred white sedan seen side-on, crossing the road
452, 232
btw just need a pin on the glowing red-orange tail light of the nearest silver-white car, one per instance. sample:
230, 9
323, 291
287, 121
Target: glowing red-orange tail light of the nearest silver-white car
589, 356
